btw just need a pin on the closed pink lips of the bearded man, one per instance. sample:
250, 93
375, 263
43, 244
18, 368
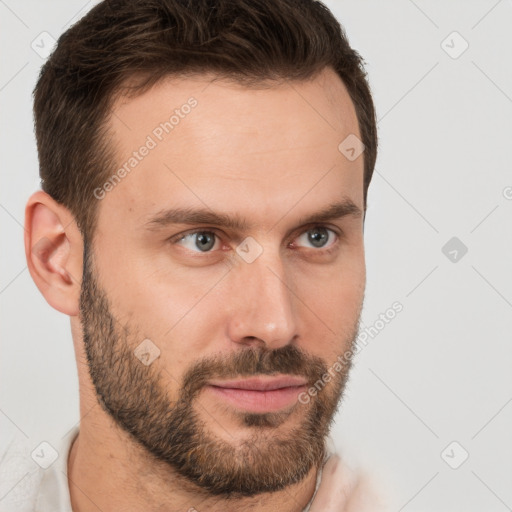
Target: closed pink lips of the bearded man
259, 394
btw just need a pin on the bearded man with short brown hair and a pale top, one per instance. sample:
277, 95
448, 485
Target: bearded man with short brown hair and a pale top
205, 170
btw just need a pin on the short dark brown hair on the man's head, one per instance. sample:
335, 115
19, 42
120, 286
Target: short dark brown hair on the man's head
249, 41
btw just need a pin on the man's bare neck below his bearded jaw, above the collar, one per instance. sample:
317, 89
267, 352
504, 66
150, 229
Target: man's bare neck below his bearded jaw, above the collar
108, 470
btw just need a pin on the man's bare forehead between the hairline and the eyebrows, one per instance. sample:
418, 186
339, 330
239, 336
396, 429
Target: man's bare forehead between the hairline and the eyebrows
197, 142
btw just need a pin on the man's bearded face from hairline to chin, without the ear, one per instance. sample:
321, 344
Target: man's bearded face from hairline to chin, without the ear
219, 308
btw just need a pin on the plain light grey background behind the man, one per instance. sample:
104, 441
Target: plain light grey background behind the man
440, 371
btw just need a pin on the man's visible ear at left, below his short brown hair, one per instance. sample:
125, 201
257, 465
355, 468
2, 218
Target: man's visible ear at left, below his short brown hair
54, 252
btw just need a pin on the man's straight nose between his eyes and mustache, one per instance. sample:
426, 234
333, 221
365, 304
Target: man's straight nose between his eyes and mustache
262, 305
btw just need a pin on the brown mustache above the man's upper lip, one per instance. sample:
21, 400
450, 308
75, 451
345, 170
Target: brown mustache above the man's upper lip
250, 362
